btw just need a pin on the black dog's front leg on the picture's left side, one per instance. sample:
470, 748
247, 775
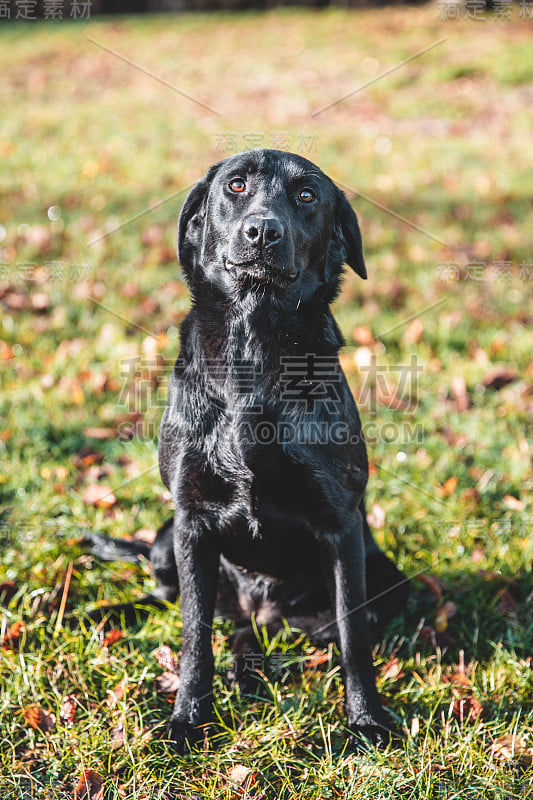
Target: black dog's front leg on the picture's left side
197, 561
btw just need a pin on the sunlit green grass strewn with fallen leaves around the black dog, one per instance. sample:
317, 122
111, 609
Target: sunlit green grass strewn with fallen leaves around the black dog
89, 329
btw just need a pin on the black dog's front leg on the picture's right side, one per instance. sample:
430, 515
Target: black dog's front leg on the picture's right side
345, 567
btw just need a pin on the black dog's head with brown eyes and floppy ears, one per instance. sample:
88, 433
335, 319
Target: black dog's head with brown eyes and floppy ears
268, 218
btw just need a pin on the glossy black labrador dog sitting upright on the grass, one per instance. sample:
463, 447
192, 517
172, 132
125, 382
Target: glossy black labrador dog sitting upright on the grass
260, 443
